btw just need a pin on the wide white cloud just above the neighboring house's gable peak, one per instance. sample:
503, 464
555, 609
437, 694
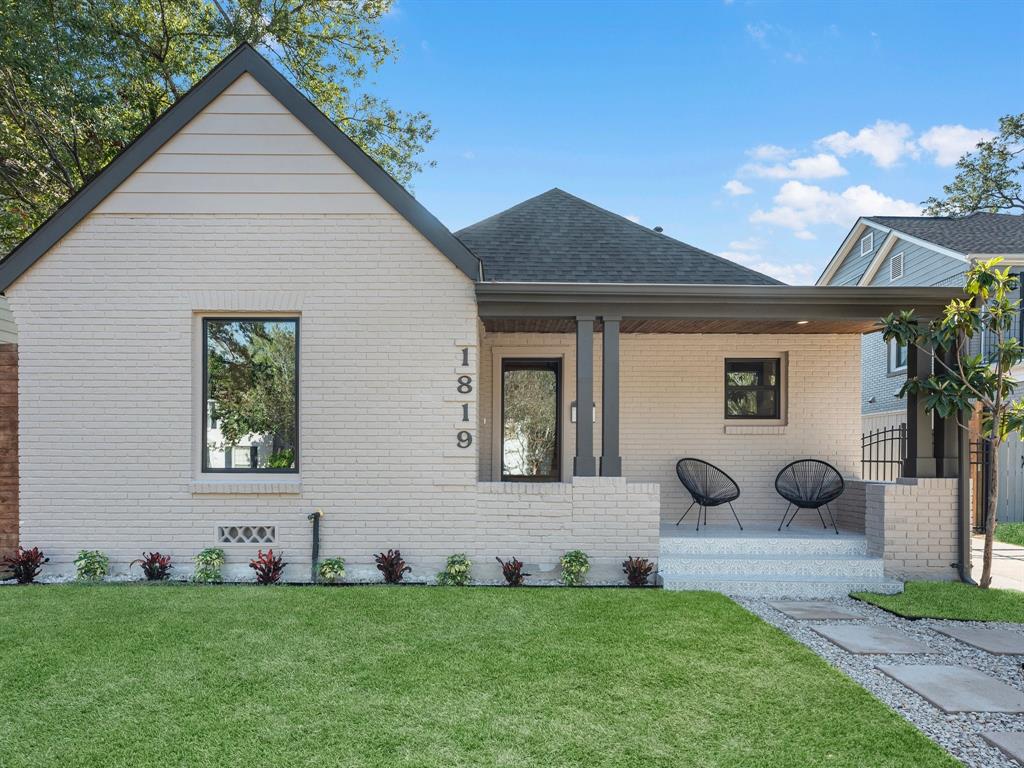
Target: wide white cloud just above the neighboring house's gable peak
799, 206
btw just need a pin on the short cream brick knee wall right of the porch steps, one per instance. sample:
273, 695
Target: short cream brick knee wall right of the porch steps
912, 525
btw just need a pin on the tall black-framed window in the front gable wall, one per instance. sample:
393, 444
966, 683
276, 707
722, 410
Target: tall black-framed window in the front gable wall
250, 395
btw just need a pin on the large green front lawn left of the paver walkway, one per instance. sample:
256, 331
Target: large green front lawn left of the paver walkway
229, 676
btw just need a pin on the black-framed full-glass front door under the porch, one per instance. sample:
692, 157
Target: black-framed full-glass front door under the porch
532, 425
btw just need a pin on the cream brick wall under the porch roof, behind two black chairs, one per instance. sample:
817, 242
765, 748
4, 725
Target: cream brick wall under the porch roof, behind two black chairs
672, 403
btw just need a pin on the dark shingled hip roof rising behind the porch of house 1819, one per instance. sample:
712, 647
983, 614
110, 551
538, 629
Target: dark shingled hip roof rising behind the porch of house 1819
560, 238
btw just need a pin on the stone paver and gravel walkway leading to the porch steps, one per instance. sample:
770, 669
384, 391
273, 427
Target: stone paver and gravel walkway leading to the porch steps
961, 684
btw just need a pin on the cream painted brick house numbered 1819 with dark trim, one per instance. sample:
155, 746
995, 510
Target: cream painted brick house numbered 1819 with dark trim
521, 389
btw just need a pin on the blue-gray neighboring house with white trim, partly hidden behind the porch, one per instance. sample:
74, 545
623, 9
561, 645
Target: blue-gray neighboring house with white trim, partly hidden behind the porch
925, 251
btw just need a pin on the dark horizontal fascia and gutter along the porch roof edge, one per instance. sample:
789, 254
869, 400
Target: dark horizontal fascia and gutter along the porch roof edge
518, 301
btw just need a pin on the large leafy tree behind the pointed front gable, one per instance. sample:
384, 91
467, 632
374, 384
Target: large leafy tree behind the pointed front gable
80, 79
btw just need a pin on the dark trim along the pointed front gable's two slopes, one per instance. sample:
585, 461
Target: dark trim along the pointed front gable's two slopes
242, 60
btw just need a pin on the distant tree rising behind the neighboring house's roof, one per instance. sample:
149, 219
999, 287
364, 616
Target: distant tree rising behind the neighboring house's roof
989, 179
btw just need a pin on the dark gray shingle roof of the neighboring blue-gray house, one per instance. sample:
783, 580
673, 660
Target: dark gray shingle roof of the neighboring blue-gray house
979, 233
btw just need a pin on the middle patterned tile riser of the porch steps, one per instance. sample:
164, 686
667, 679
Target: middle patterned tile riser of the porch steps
855, 569
